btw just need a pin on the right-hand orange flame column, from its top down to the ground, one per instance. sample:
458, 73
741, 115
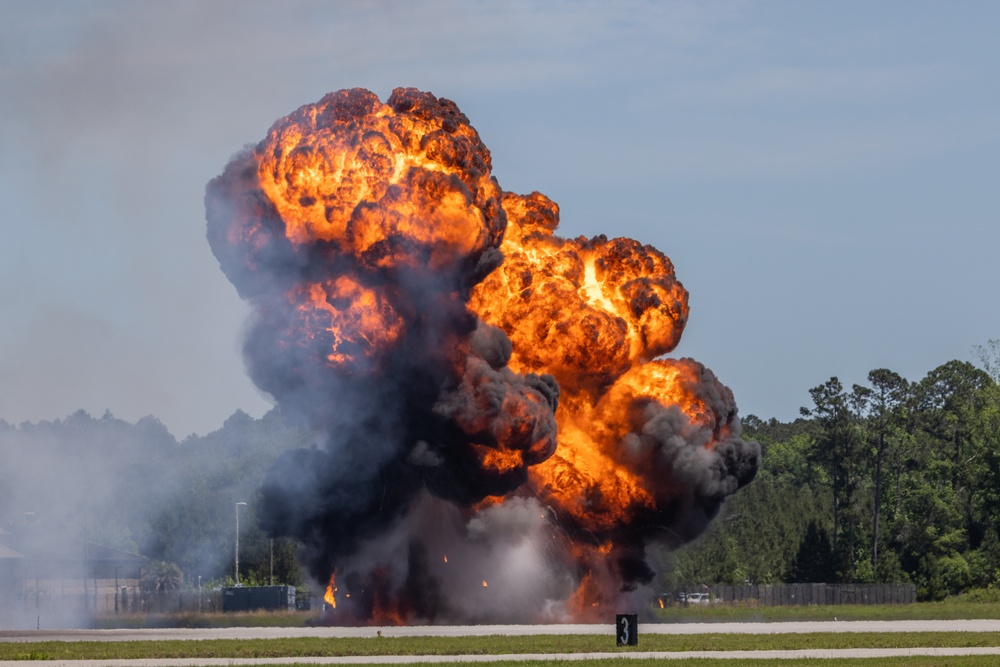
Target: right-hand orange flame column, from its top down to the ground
596, 314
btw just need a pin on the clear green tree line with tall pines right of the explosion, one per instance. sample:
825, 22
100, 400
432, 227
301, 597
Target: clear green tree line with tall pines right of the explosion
888, 481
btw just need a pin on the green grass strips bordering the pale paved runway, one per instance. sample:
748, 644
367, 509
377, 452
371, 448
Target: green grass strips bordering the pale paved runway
507, 645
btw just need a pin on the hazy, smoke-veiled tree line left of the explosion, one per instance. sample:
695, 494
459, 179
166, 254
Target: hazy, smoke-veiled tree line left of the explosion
136, 488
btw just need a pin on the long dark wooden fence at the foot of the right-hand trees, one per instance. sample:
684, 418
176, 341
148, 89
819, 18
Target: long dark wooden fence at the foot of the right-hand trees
778, 595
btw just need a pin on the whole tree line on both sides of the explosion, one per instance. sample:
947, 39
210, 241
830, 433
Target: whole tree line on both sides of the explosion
888, 481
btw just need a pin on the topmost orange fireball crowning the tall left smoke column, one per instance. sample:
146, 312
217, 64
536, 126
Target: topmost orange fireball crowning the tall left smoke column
393, 178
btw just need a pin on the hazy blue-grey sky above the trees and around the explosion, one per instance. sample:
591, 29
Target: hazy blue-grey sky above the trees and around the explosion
825, 176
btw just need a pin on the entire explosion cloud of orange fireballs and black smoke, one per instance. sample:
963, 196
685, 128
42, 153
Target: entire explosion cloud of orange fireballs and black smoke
424, 322
